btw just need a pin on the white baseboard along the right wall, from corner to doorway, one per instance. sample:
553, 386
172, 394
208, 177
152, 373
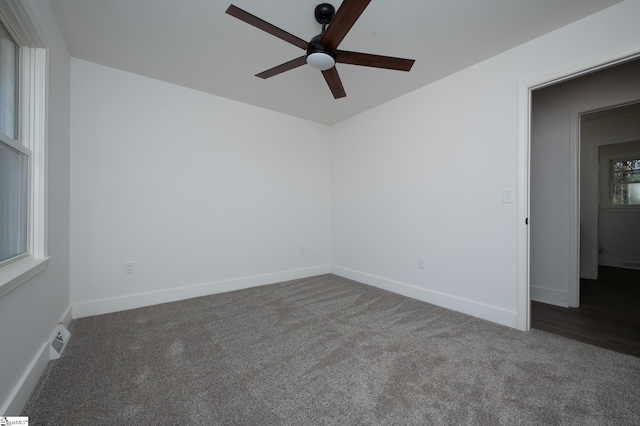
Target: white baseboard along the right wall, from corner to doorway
465, 306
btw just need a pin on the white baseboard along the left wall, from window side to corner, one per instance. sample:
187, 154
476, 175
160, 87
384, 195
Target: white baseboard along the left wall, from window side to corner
105, 306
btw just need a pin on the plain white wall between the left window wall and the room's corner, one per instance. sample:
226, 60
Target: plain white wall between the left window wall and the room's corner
204, 194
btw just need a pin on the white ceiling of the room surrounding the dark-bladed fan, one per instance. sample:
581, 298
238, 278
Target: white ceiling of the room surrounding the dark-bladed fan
194, 43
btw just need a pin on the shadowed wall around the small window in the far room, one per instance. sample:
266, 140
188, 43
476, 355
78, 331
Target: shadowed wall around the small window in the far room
619, 229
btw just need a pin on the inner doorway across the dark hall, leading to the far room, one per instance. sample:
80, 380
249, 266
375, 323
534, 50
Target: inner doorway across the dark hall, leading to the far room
610, 220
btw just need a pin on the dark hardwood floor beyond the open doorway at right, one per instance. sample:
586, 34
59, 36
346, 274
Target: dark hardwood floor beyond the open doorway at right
608, 316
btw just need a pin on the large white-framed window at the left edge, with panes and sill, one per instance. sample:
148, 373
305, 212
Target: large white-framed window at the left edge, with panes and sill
22, 147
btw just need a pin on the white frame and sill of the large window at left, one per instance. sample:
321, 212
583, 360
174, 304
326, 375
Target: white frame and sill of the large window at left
32, 136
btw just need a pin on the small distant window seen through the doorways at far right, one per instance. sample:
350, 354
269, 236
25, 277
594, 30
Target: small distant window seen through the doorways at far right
625, 182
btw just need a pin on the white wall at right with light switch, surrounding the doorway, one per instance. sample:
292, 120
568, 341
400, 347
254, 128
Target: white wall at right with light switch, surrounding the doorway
423, 175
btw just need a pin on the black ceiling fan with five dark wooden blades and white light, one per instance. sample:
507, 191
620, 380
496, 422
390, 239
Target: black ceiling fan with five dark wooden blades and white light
322, 50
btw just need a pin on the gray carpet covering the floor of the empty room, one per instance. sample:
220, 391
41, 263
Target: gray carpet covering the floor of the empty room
326, 351
